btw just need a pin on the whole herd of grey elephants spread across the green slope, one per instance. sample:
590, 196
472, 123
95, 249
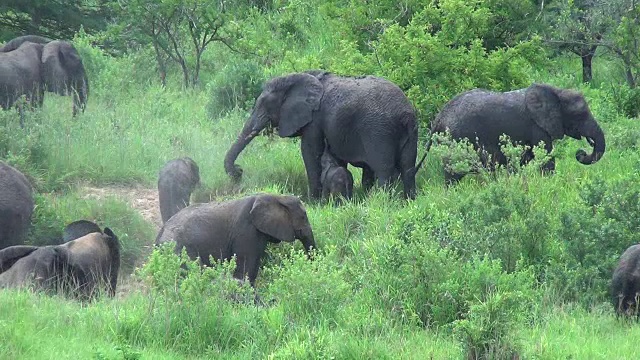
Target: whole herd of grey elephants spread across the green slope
366, 122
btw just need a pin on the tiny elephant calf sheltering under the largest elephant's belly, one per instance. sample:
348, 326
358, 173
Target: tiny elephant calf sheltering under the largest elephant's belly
335, 178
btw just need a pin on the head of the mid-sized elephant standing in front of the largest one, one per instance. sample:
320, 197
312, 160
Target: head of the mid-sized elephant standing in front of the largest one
283, 218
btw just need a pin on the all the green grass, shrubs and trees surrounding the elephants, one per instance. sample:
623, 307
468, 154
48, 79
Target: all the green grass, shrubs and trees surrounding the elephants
501, 266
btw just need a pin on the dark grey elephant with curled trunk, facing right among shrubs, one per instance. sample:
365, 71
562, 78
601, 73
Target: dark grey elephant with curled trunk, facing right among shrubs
528, 116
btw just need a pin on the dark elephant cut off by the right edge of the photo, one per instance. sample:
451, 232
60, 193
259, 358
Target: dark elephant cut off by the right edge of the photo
625, 284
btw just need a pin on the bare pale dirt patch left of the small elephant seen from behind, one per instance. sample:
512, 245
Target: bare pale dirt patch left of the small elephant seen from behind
141, 199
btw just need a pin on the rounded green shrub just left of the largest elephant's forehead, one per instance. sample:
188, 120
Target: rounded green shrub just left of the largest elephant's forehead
237, 84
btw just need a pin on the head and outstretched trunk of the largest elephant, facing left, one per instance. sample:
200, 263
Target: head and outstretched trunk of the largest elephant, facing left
286, 102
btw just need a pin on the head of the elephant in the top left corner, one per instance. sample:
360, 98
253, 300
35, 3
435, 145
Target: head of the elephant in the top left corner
64, 73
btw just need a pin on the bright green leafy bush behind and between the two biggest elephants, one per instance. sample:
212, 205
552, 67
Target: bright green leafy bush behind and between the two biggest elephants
440, 54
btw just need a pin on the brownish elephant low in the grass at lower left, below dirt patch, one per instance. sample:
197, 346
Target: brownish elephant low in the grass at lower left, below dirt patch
78, 268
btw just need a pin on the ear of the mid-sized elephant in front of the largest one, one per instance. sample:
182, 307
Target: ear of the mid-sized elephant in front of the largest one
271, 217
